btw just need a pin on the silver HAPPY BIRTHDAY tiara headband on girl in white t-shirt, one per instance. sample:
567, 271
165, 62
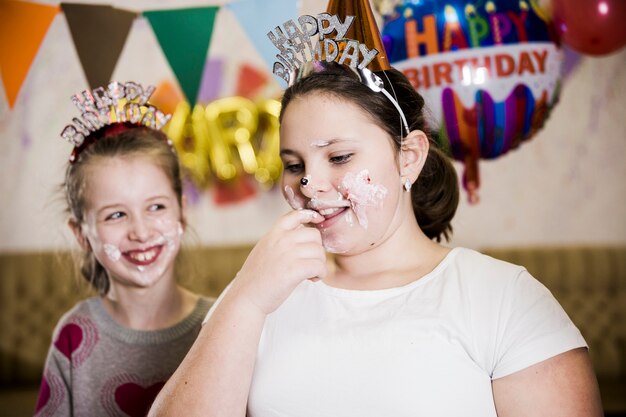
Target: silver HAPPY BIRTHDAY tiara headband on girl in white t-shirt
300, 56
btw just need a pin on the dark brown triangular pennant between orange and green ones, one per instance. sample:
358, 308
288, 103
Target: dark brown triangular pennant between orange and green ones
99, 34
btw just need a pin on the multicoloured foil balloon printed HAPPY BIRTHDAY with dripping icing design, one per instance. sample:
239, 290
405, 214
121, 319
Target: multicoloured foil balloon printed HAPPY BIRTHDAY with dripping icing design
489, 72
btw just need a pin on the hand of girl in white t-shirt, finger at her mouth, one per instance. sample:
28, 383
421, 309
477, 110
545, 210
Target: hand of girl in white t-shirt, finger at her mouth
287, 255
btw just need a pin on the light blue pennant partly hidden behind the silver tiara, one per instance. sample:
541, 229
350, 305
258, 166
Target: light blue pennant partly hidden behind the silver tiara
258, 17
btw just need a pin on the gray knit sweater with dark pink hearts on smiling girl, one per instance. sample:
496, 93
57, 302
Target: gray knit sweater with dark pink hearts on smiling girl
96, 367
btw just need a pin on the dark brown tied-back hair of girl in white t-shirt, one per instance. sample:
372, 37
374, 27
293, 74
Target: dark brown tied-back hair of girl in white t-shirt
435, 194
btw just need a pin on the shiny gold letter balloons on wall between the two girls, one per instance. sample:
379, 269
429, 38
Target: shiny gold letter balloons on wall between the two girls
227, 138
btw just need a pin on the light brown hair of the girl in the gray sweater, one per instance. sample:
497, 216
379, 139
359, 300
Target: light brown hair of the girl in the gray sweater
113, 142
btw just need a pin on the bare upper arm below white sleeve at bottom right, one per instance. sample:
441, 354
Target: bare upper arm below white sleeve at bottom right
564, 385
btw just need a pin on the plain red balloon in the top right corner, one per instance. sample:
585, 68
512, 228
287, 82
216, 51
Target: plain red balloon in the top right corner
592, 27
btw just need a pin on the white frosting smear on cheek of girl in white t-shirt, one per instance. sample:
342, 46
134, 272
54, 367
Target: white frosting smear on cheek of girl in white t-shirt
362, 193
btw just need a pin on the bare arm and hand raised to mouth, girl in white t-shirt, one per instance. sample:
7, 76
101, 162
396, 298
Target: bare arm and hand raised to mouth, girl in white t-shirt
214, 378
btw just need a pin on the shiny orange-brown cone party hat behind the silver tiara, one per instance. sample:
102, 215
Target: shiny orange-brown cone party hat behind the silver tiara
364, 28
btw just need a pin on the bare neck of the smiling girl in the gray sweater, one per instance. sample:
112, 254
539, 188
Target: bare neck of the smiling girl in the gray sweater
151, 308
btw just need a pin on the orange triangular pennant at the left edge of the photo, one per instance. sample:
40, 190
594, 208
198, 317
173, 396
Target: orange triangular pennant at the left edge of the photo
22, 29
